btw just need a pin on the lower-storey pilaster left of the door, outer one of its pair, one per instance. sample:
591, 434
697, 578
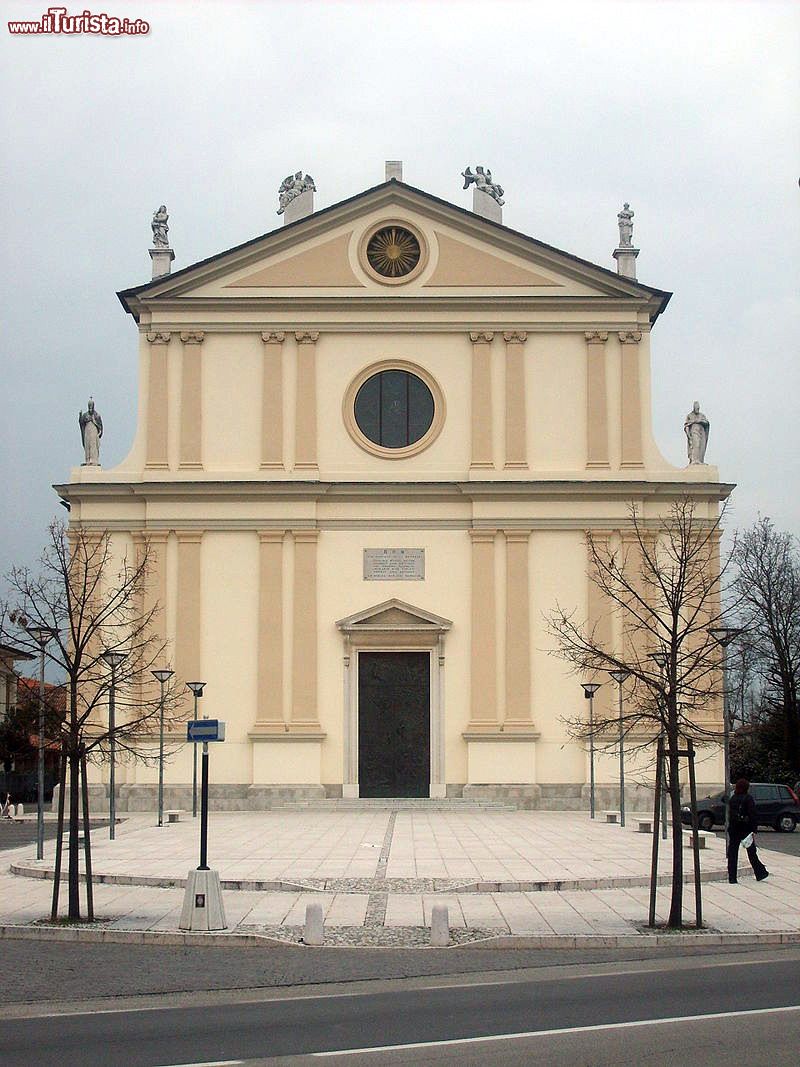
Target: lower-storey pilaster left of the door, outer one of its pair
270, 649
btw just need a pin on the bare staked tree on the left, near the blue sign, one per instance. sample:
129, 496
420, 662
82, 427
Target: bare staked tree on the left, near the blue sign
91, 602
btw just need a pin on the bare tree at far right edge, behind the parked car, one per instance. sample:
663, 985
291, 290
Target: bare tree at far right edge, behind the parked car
769, 586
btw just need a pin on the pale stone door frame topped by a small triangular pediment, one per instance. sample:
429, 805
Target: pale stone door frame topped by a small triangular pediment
393, 627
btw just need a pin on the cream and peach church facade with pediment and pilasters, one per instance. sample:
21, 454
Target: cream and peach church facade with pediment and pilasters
371, 445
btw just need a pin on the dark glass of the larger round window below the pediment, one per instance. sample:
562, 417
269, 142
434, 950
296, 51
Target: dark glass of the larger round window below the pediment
394, 409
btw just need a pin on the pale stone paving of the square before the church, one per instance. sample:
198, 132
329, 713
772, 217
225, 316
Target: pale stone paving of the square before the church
378, 874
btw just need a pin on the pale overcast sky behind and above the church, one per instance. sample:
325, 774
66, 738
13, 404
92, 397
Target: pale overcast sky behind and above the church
690, 112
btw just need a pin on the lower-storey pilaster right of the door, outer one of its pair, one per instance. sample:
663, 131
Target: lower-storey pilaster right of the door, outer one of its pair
518, 632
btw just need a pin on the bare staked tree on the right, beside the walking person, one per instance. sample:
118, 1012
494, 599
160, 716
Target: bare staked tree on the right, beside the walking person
664, 583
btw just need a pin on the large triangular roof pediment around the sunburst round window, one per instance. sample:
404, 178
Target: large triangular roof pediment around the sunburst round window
323, 257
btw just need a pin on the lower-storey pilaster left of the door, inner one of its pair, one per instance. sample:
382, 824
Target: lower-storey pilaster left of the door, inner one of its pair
305, 711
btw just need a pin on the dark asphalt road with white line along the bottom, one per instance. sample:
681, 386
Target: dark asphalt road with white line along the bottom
292, 1023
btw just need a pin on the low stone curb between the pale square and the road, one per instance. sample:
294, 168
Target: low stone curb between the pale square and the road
503, 942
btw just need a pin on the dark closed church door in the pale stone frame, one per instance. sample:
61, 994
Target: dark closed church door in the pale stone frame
394, 724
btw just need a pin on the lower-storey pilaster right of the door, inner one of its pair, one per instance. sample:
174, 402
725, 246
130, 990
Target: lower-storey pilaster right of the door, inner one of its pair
484, 658
